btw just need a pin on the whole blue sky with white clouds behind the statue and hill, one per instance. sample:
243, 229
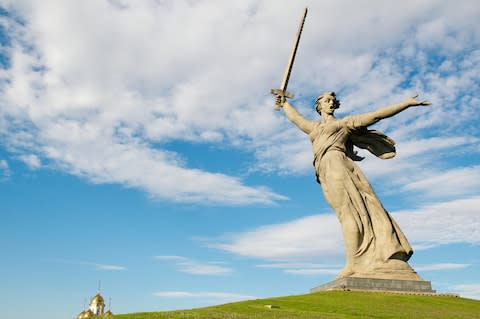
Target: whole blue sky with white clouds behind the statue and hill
139, 147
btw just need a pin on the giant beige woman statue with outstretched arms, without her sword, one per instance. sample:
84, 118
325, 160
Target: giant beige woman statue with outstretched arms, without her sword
375, 245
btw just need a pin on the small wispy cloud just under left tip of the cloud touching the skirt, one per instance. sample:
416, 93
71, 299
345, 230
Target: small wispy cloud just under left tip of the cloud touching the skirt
194, 267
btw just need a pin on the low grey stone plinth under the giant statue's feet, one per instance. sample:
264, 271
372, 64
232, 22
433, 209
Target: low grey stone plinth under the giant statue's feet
372, 284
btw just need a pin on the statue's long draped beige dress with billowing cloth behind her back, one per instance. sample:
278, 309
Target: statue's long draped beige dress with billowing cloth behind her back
368, 229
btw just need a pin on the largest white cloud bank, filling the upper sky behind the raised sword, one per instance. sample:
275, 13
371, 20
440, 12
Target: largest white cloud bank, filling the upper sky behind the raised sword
101, 100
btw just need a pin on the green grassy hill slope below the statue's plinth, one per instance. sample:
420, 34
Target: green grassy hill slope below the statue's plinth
331, 304
